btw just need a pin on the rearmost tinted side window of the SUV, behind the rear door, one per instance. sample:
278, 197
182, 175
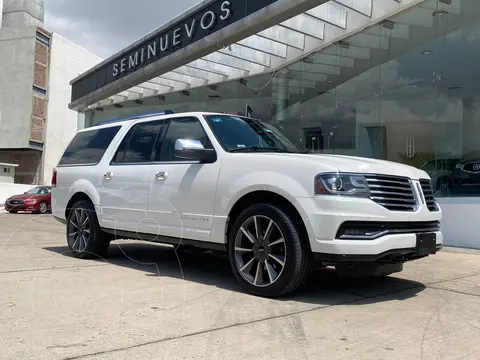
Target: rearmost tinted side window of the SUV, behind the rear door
88, 147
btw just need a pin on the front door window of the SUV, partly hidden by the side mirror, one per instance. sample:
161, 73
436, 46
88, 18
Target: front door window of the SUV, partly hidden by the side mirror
181, 128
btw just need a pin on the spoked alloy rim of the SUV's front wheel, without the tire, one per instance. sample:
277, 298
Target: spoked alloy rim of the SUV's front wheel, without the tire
260, 251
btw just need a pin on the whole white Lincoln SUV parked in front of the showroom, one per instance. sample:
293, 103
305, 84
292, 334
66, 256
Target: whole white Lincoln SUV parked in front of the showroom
225, 182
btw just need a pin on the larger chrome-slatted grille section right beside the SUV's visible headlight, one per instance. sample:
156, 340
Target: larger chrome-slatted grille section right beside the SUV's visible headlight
392, 192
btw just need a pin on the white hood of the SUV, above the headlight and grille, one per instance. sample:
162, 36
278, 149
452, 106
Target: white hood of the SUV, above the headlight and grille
361, 165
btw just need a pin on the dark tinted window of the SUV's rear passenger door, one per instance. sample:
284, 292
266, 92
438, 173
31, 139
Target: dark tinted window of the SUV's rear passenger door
138, 144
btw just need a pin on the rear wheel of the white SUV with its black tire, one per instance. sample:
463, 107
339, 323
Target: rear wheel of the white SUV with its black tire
84, 236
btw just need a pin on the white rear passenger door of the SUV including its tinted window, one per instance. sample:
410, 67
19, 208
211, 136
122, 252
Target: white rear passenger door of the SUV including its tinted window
125, 182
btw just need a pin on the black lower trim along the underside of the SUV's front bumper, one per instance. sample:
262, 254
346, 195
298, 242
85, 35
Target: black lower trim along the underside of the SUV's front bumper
387, 257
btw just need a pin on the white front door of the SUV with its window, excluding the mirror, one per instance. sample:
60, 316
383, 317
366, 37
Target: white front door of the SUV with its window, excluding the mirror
181, 201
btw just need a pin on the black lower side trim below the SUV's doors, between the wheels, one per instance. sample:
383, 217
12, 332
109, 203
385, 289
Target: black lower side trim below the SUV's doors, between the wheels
120, 234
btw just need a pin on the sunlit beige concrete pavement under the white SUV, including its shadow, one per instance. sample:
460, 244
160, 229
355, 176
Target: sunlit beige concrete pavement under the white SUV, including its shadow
145, 303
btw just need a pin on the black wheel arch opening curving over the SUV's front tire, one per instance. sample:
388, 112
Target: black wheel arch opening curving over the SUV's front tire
270, 197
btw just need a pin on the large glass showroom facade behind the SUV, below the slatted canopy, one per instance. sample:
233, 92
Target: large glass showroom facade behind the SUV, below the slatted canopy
404, 90
